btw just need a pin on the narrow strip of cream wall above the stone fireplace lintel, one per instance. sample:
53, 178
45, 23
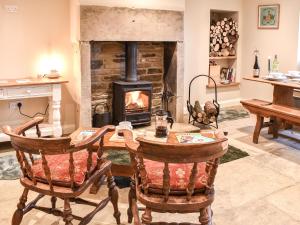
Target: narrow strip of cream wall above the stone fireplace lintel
146, 4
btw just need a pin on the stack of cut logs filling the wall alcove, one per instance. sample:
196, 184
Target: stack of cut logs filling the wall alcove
223, 36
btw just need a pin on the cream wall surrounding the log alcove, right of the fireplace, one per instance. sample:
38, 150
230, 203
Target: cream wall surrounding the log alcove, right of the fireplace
196, 42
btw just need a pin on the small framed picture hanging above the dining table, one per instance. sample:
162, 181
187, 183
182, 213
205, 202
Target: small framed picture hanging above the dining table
268, 16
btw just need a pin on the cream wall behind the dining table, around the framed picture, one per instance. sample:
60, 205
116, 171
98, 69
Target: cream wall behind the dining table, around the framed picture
283, 42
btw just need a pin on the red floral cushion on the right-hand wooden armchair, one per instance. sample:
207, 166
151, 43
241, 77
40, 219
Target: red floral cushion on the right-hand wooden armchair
179, 175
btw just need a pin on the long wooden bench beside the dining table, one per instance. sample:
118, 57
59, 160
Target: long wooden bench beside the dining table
278, 114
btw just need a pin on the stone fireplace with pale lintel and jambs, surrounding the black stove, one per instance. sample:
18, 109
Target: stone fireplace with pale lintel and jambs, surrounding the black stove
159, 37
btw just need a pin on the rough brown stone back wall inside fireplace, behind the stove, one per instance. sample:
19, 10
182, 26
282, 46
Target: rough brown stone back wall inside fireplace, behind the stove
108, 65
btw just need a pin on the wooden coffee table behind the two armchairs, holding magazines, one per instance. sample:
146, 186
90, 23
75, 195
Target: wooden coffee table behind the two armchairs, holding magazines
127, 170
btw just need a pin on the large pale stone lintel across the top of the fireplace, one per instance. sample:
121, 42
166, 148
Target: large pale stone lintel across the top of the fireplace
126, 24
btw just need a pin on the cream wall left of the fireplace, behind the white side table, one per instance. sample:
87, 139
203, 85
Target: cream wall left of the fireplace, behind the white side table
38, 29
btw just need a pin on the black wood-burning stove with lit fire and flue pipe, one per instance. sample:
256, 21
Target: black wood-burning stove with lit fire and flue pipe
132, 98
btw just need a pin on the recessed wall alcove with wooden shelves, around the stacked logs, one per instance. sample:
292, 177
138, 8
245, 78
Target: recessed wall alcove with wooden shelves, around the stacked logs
223, 62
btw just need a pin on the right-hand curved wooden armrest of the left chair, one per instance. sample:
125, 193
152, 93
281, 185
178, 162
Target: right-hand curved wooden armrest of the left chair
94, 138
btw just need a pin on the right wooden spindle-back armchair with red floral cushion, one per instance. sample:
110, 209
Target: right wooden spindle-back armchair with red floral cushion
173, 177
